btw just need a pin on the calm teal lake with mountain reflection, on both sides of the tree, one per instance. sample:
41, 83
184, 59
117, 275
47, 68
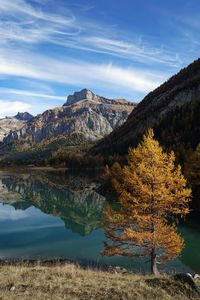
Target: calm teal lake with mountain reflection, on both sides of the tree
45, 215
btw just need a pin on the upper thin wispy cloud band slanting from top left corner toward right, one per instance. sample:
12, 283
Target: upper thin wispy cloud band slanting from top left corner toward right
67, 31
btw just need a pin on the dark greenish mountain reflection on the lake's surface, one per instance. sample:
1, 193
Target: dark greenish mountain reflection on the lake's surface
72, 198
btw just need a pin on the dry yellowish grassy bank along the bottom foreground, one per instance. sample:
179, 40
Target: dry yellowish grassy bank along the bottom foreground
67, 281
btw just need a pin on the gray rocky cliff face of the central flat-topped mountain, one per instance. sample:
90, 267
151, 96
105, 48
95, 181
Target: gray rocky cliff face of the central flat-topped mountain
84, 113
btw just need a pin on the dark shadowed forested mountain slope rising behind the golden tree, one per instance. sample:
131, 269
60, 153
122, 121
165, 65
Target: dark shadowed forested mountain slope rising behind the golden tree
172, 110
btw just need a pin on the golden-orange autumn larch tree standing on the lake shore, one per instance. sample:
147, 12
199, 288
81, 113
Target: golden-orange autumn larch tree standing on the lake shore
151, 191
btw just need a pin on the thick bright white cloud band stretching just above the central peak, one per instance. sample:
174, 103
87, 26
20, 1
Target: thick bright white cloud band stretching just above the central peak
31, 65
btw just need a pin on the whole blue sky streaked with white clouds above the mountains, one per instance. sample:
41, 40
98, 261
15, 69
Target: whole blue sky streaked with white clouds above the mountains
116, 48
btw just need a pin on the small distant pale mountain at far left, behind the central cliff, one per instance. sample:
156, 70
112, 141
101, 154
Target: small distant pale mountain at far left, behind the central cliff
10, 124
